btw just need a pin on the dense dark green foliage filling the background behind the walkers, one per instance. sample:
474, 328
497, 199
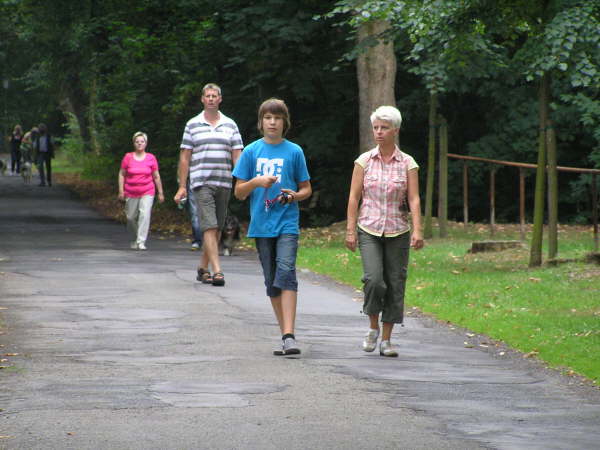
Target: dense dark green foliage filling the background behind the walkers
119, 67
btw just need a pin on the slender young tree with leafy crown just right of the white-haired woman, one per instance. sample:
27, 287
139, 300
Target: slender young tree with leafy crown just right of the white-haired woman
445, 42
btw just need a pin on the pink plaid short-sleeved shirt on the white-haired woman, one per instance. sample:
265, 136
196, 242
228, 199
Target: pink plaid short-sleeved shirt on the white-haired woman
383, 210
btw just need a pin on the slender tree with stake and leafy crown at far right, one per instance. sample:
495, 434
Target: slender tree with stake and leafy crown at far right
562, 44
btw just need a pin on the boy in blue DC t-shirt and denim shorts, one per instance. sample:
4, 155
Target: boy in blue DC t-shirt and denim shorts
272, 171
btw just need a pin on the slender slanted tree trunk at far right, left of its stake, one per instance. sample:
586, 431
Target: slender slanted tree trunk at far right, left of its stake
535, 256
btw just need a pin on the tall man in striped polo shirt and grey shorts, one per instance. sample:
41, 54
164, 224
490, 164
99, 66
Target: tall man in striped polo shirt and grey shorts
210, 148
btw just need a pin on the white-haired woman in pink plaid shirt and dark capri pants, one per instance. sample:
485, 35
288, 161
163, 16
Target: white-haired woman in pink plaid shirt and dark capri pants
384, 181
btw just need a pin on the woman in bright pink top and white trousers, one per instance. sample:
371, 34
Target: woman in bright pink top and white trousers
139, 180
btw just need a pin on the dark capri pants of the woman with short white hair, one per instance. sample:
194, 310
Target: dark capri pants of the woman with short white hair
385, 261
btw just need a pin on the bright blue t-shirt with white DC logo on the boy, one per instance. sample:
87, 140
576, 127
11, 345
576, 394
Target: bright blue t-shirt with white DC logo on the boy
285, 161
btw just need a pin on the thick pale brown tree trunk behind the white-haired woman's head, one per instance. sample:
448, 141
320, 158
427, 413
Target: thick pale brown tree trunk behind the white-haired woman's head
376, 72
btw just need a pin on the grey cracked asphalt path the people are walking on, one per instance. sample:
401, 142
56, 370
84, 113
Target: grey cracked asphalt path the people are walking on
104, 347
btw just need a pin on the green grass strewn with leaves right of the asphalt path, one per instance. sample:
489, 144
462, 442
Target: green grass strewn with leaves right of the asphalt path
552, 312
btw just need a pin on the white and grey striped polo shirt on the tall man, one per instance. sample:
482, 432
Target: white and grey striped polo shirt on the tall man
211, 162
